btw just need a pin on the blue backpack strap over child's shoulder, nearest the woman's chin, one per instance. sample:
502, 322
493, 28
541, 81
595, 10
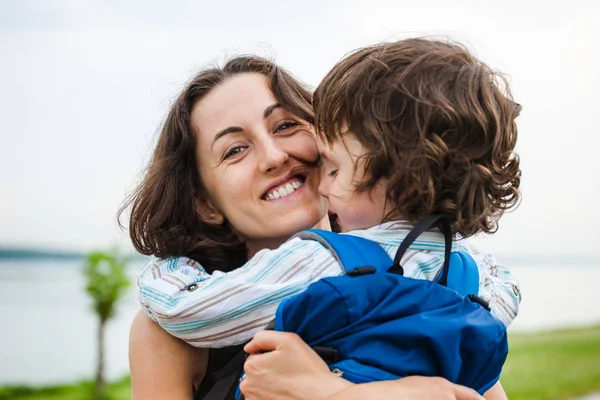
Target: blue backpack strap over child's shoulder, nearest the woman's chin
351, 251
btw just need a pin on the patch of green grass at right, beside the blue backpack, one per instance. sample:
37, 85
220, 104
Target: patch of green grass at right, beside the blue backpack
554, 365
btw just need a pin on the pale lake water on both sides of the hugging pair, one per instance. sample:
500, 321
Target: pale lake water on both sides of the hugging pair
48, 331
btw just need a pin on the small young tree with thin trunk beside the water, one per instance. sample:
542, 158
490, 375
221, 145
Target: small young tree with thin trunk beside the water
106, 282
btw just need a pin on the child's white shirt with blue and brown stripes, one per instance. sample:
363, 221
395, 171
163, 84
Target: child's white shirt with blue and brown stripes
224, 309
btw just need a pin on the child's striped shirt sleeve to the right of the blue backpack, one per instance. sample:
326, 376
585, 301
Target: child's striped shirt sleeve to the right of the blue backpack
497, 285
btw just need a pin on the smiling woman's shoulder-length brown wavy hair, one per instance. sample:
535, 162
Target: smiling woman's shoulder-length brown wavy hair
164, 221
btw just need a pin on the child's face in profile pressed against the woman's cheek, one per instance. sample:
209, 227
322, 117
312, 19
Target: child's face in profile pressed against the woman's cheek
342, 170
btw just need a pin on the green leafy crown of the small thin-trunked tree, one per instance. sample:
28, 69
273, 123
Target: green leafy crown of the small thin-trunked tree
106, 281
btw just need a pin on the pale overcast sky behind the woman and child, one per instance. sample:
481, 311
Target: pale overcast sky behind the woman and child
85, 85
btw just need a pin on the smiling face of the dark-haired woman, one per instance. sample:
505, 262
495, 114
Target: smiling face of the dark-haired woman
247, 150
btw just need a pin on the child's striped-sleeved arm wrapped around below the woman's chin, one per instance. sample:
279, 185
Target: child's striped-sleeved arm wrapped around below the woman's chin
225, 309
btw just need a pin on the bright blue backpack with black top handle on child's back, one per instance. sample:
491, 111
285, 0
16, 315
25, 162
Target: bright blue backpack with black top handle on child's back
374, 324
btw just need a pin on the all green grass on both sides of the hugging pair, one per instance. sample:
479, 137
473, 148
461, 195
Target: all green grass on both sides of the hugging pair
556, 365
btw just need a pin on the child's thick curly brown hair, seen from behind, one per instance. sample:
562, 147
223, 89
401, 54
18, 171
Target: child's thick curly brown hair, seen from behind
438, 125
